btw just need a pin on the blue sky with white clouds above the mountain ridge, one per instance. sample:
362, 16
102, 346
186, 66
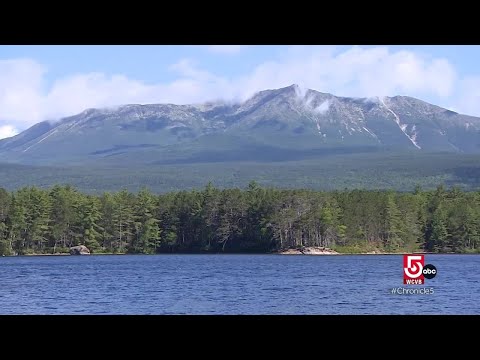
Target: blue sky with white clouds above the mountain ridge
49, 82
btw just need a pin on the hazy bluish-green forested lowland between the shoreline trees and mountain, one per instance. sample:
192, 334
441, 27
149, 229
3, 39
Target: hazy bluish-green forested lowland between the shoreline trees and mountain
376, 171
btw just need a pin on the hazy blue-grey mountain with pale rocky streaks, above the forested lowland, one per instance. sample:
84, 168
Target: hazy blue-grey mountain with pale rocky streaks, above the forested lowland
273, 125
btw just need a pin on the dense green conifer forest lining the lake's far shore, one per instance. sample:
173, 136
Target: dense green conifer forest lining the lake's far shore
256, 219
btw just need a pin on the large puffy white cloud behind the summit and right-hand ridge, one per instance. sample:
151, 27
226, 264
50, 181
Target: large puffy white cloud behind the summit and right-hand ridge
359, 72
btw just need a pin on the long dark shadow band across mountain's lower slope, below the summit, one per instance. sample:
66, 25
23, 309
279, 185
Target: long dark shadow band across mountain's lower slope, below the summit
261, 153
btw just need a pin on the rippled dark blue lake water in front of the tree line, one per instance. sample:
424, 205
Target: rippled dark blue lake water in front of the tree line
233, 284
